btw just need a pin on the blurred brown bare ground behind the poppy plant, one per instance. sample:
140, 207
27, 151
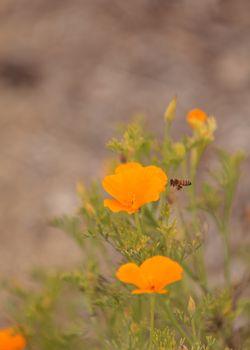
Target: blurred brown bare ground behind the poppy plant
71, 70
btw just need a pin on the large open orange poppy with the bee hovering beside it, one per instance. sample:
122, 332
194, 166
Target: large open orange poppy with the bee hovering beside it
132, 186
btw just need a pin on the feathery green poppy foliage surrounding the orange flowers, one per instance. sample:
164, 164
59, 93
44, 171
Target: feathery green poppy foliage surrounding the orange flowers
88, 308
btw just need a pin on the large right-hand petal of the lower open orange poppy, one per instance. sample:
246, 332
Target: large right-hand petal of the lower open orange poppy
161, 271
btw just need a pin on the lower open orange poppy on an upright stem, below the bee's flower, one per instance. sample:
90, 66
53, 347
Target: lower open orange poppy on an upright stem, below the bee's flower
152, 276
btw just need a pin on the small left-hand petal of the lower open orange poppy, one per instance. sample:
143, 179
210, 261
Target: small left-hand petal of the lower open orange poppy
131, 273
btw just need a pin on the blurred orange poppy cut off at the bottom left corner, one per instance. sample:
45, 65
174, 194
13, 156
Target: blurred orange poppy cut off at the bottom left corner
10, 340
